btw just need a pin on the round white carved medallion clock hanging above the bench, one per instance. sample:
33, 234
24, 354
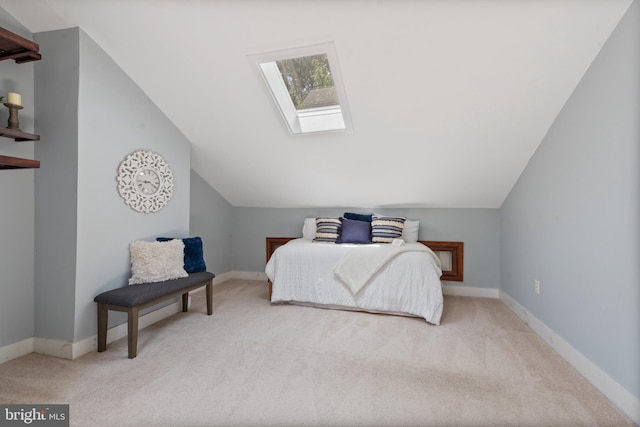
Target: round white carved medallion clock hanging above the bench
145, 181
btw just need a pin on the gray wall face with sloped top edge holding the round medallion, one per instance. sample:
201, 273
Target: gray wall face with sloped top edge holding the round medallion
115, 119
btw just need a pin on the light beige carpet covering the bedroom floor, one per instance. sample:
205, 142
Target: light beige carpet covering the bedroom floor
253, 363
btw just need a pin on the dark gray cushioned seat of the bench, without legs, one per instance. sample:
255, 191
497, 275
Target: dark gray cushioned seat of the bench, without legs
133, 295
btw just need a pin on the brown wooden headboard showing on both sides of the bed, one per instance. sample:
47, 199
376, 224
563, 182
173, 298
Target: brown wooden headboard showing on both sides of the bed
451, 255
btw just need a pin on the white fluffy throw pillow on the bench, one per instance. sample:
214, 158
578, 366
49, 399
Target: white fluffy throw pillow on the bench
156, 261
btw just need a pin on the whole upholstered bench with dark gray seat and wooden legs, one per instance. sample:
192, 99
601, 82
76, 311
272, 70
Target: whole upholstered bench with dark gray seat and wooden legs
133, 298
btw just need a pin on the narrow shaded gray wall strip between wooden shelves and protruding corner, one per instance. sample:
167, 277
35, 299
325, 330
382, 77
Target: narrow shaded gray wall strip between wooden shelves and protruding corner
56, 85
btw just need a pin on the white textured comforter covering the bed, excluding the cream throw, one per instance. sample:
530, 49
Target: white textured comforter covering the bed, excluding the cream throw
302, 271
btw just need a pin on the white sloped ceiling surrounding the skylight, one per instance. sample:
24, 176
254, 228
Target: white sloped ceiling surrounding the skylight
449, 99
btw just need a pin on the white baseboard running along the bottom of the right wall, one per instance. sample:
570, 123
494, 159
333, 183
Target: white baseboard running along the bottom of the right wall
617, 394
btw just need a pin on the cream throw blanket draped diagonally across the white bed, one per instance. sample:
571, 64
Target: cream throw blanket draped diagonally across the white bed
357, 267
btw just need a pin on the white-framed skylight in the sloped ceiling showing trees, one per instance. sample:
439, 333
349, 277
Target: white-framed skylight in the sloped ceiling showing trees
307, 88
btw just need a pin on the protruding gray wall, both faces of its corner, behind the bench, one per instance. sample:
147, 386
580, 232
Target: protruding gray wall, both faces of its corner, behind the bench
93, 116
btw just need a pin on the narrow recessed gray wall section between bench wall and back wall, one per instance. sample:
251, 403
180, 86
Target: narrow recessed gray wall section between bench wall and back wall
211, 219
